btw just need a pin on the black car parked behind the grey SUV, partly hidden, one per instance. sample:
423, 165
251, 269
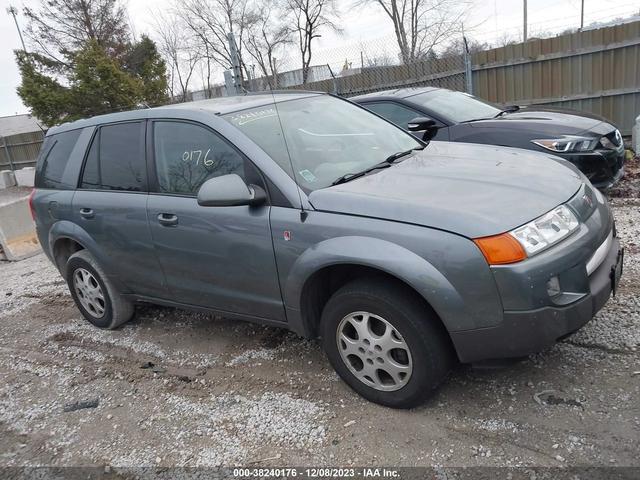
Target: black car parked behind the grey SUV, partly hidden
588, 141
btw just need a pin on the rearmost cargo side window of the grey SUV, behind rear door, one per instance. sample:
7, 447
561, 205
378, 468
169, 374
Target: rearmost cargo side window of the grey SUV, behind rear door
56, 150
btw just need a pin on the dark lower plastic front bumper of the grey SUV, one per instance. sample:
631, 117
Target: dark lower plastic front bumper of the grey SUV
529, 331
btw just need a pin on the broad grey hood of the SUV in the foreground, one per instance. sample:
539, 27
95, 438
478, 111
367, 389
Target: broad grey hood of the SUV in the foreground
473, 190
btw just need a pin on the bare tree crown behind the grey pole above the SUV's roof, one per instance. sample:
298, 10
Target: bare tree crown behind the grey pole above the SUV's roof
212, 20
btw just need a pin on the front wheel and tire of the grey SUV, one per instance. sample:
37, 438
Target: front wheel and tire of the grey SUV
398, 376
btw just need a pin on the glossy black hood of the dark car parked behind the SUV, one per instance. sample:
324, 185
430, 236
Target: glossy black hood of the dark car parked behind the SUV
548, 122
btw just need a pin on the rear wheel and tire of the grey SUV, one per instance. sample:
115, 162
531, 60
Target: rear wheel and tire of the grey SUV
94, 294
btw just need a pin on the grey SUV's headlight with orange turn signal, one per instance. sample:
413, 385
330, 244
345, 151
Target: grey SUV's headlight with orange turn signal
529, 239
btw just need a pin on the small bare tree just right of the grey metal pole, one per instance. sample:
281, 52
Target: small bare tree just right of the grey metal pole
265, 38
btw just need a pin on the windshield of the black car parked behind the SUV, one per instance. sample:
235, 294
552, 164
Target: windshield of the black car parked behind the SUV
455, 107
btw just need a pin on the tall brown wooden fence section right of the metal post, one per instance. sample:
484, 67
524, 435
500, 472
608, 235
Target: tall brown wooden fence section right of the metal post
595, 71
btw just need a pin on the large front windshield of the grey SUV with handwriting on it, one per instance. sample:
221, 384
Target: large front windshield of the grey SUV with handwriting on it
326, 137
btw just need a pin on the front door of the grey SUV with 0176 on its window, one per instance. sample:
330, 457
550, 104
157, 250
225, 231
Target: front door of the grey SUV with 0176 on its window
217, 257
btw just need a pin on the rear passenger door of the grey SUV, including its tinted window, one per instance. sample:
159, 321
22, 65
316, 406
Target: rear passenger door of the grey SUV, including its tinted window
111, 206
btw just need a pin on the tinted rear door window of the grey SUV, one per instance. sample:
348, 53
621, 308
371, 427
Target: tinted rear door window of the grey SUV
116, 159
